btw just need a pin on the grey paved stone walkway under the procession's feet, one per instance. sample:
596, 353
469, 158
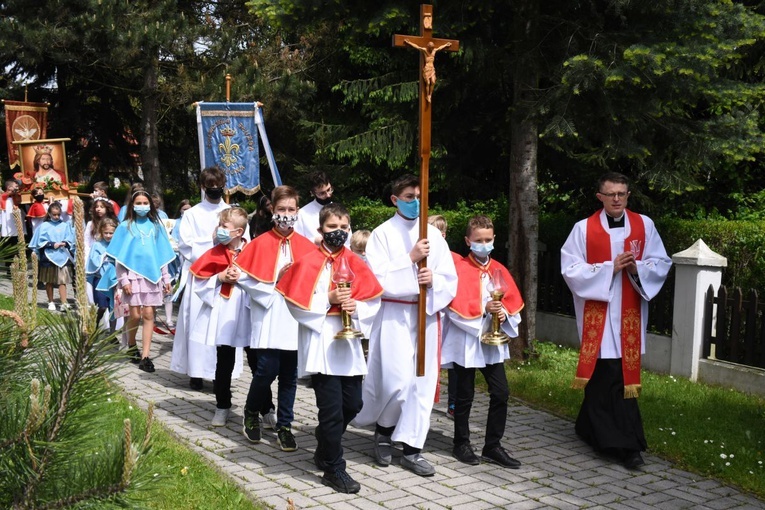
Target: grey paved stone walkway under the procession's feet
559, 471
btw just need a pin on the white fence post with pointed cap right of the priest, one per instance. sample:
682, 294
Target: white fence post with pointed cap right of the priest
696, 269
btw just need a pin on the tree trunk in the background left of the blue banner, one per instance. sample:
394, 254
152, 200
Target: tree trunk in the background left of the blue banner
149, 132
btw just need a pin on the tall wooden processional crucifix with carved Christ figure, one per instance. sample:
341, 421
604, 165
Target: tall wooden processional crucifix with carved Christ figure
428, 46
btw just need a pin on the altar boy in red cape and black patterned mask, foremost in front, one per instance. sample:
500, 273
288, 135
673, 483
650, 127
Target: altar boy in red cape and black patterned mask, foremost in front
336, 366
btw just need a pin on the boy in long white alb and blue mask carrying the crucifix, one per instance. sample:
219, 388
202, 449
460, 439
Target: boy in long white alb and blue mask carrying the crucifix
397, 401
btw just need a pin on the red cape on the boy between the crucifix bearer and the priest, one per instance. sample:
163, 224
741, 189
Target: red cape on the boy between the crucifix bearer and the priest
468, 303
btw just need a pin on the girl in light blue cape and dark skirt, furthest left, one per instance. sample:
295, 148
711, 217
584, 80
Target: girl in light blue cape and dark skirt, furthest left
53, 242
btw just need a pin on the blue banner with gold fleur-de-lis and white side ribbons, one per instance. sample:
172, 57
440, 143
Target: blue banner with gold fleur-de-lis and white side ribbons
228, 138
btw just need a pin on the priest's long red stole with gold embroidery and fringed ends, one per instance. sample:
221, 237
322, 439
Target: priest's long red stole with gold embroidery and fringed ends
595, 312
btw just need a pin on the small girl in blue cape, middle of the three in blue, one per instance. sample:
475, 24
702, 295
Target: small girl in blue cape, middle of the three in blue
100, 270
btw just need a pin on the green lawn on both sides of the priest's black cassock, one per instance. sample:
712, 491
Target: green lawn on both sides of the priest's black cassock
713, 431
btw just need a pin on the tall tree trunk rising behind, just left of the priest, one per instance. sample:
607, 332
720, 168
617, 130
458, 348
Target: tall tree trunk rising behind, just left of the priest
523, 199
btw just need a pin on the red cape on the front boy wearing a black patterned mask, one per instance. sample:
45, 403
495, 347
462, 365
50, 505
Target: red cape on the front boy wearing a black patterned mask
299, 282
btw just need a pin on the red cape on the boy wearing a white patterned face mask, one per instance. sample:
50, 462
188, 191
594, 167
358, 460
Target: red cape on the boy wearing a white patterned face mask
260, 258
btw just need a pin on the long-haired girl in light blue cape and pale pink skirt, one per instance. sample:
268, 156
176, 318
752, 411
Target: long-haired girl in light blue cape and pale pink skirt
141, 251
